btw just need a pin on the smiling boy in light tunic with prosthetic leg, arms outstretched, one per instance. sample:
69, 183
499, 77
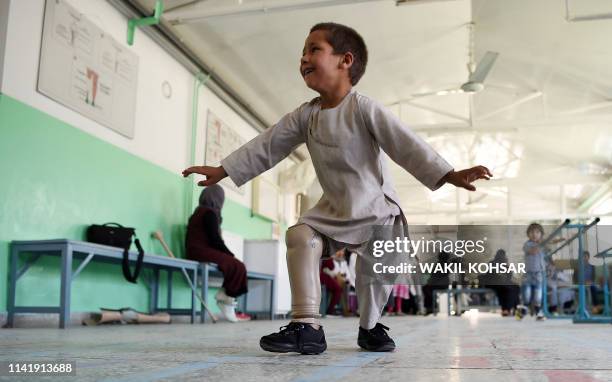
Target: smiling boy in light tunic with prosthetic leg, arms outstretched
344, 132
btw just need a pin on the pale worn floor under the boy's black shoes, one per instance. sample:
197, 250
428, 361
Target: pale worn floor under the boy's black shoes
478, 348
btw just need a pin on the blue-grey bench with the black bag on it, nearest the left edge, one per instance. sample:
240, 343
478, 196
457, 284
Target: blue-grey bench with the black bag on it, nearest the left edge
71, 251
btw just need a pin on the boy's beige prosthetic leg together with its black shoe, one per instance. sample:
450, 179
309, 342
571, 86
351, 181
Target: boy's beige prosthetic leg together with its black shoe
304, 334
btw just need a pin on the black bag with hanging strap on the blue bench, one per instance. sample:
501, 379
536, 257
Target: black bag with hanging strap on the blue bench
116, 235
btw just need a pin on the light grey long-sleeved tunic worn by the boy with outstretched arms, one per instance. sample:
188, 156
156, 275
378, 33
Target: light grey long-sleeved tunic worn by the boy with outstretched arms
345, 145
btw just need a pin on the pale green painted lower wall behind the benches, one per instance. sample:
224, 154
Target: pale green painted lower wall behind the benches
55, 180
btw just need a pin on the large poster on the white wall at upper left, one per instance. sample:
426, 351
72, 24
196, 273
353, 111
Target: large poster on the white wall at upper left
85, 69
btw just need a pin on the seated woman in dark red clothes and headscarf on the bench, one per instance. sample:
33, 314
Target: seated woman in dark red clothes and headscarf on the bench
205, 244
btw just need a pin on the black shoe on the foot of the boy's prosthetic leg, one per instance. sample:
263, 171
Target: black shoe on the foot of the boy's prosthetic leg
295, 337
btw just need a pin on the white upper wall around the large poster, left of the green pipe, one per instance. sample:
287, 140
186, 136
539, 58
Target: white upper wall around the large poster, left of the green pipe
162, 126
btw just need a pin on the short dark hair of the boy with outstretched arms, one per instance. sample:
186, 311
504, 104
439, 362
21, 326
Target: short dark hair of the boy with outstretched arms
345, 39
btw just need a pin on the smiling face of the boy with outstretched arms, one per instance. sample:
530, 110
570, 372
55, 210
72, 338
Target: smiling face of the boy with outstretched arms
321, 69
